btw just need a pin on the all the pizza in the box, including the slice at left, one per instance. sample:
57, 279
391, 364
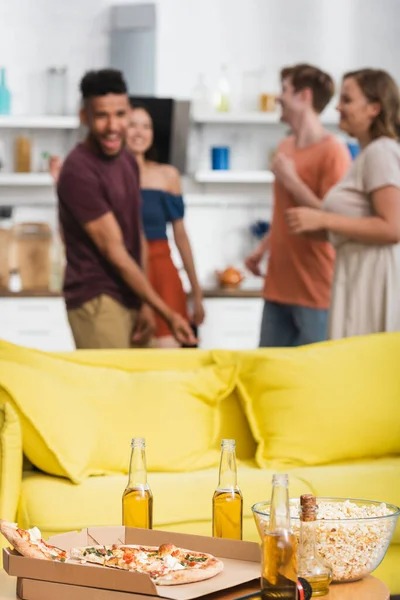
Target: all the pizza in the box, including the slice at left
166, 564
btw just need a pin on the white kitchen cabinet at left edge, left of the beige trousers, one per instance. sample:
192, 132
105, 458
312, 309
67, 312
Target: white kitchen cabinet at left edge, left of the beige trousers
39, 323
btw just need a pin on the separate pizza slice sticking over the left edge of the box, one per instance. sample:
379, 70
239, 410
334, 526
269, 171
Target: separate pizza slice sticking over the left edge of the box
29, 543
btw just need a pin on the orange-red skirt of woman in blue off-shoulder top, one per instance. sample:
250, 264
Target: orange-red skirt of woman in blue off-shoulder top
164, 278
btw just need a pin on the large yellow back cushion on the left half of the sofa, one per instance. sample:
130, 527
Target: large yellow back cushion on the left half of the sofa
78, 420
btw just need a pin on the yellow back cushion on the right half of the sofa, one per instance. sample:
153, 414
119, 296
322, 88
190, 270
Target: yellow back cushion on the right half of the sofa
323, 403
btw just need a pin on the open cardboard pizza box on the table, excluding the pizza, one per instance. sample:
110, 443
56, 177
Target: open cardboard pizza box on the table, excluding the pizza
38, 579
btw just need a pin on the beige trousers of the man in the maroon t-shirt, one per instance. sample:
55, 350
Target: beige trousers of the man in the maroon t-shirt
102, 323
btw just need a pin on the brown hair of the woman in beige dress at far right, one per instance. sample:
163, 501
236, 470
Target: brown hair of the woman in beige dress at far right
378, 86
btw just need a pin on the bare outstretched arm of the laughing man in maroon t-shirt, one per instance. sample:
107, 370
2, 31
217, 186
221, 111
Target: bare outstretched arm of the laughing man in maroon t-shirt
106, 234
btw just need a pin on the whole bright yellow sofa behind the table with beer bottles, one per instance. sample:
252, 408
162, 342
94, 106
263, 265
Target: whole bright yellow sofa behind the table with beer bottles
327, 414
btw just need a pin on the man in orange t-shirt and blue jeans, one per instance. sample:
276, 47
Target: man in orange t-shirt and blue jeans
307, 164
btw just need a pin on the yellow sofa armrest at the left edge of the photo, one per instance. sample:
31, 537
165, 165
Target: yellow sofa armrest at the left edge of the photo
10, 461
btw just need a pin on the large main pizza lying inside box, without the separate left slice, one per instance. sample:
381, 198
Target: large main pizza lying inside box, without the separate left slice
166, 564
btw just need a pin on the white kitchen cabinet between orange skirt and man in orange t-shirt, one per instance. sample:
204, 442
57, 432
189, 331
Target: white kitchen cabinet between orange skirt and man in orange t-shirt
231, 323
